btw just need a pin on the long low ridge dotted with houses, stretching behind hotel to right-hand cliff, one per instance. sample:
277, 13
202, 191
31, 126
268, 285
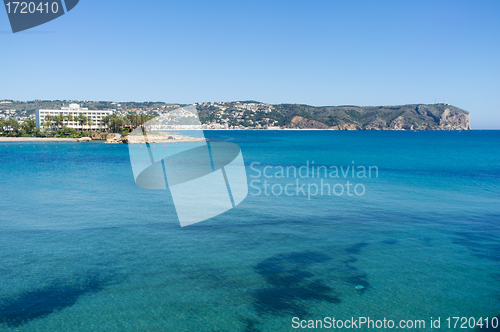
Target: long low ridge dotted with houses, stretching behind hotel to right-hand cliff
257, 115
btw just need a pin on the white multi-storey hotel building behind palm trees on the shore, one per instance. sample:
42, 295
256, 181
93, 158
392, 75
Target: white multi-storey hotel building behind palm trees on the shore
75, 110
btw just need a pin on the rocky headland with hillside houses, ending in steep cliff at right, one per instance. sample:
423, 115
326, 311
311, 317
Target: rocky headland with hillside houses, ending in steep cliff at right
296, 116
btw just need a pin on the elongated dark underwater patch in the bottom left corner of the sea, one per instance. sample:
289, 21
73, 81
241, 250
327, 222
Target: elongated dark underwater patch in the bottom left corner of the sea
39, 303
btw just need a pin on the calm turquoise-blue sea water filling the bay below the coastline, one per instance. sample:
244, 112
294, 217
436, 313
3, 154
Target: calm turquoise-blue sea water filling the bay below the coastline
82, 248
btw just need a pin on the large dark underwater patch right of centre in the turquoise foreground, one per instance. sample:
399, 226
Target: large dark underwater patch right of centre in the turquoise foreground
291, 284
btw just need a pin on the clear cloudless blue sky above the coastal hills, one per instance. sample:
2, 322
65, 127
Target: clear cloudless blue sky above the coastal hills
312, 52
